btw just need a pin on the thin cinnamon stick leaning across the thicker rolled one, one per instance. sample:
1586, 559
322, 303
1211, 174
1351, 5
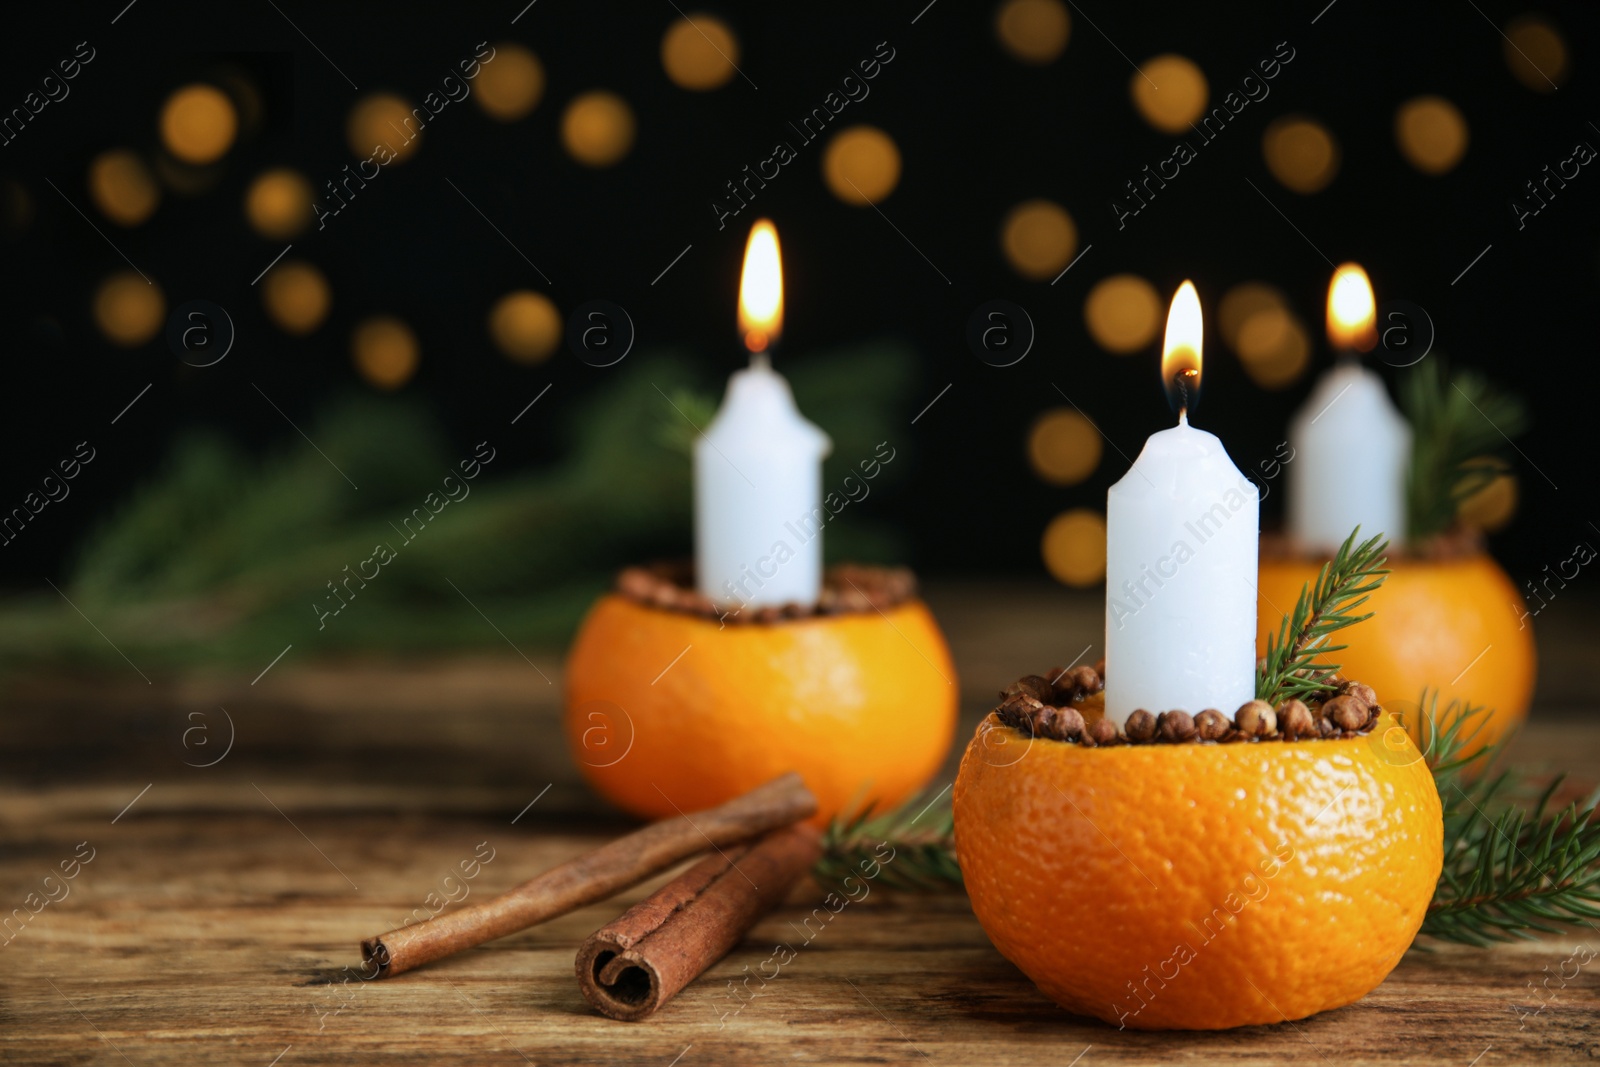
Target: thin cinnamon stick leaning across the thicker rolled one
593, 877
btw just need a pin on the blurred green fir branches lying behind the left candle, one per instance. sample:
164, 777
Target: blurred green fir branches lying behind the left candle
225, 559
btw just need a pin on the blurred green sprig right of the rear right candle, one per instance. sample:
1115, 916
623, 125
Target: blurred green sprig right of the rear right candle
1460, 425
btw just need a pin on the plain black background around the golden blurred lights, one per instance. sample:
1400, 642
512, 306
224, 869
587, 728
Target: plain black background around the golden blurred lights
978, 134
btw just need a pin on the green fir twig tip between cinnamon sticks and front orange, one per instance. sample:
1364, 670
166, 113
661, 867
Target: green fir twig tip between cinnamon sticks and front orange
921, 833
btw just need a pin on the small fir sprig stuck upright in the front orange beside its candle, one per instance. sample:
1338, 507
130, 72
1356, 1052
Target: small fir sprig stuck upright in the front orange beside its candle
1292, 666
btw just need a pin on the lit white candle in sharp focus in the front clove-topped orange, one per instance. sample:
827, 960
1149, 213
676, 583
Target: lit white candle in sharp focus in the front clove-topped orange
1182, 533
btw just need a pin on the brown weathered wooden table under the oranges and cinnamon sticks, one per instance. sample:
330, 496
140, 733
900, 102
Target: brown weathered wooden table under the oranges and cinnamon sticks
223, 903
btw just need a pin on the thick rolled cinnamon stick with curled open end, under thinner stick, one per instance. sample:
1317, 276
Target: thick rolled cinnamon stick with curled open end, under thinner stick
641, 962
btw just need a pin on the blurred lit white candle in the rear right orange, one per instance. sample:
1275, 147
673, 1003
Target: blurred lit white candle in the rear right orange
1351, 446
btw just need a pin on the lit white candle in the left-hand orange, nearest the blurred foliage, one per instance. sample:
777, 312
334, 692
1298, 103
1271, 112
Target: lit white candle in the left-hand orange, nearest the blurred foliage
759, 466
